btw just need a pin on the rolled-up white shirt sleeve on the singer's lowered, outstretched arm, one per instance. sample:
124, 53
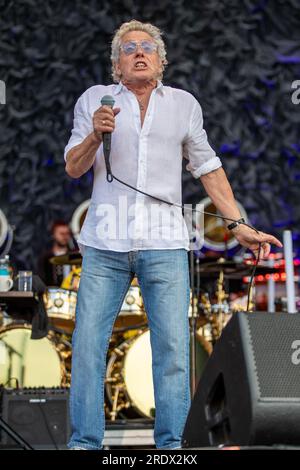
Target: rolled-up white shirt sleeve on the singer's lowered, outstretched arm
196, 149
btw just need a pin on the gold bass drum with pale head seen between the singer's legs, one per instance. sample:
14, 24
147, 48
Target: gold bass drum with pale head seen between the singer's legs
129, 385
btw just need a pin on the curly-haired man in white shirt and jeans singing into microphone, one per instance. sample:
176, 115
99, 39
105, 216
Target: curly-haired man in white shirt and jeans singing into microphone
153, 126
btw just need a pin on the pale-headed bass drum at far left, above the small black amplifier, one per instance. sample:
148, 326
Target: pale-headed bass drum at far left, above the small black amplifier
26, 362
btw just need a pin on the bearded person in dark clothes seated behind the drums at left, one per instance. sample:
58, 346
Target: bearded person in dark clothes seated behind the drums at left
62, 243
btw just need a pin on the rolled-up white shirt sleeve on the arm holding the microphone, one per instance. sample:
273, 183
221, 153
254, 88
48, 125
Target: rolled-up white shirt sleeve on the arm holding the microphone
82, 125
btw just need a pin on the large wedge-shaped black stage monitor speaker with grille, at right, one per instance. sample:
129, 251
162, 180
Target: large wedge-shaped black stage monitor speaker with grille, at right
249, 393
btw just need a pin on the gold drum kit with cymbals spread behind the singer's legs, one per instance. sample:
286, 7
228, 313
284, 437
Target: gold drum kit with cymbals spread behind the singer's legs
128, 382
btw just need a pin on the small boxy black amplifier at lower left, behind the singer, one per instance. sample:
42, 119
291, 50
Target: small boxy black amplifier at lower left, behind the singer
40, 416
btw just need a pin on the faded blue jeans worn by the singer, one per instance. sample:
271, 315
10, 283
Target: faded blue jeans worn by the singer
164, 280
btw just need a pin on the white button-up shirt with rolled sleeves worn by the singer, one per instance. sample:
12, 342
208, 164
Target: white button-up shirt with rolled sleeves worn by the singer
148, 157
